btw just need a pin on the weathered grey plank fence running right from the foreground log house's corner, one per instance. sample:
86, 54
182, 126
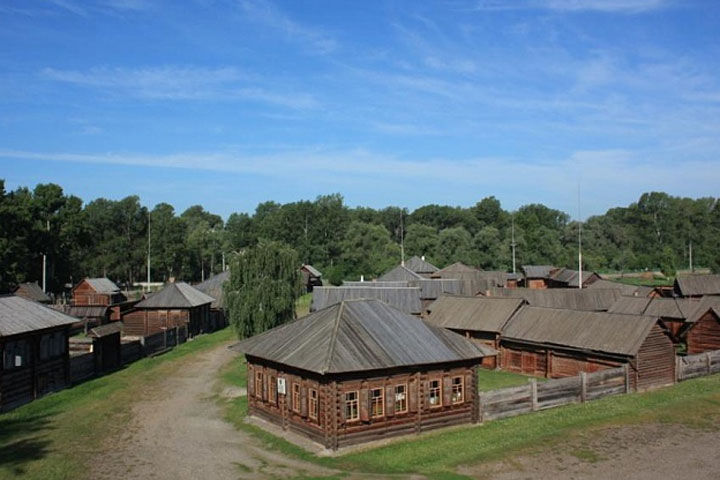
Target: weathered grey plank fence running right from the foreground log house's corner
508, 402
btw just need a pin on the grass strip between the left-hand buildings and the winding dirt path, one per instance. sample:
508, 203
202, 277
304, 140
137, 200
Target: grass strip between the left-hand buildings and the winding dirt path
57, 435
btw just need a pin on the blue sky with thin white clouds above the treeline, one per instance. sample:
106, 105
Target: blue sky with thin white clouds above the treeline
231, 103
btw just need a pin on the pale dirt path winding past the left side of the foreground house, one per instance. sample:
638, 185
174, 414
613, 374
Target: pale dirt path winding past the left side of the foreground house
177, 432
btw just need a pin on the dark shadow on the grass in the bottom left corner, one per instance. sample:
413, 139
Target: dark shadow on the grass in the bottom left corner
22, 441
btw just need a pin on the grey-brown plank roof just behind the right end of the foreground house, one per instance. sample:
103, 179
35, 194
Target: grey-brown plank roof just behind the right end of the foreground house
484, 314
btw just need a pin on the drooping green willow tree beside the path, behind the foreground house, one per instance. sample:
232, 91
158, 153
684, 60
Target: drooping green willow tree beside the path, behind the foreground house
264, 284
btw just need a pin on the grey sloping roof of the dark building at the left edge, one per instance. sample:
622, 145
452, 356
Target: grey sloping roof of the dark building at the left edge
20, 315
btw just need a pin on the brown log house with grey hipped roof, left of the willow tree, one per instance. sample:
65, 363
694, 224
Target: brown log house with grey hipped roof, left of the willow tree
176, 305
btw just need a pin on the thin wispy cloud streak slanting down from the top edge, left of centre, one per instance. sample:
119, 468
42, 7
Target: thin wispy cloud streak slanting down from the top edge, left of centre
313, 39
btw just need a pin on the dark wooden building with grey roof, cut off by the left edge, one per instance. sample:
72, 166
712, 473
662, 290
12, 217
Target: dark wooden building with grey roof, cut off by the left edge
34, 348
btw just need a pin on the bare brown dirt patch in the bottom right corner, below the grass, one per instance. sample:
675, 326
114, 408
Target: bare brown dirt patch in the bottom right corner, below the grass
647, 452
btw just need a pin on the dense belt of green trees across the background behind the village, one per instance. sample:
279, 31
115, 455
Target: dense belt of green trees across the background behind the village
110, 238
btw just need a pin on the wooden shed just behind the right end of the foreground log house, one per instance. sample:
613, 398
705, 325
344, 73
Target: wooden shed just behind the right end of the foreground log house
481, 319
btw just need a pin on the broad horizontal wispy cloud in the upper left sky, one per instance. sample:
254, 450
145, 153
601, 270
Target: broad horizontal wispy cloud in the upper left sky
181, 83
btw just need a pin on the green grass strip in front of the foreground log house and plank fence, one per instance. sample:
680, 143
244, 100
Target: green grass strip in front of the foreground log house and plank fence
438, 454
